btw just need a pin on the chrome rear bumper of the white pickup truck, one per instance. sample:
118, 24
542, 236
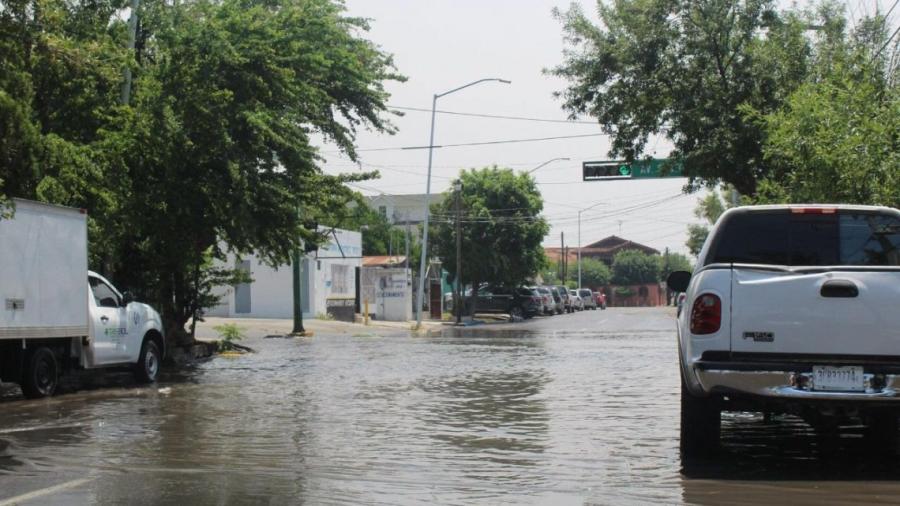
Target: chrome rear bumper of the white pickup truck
791, 385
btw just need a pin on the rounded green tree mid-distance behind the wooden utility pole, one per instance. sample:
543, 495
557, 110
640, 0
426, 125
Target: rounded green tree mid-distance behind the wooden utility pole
502, 229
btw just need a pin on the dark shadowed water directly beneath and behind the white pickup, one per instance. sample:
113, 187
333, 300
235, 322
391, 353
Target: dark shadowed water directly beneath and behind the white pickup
761, 460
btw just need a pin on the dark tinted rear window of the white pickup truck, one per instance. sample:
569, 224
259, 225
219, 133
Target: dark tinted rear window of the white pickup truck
785, 238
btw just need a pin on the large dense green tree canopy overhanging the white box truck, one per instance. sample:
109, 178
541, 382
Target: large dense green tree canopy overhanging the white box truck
212, 153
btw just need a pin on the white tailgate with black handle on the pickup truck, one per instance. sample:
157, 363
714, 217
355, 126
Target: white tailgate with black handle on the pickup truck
836, 312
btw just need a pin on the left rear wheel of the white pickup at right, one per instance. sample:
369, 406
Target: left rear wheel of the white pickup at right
701, 422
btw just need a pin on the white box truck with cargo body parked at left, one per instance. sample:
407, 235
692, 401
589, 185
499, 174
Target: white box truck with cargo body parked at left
56, 315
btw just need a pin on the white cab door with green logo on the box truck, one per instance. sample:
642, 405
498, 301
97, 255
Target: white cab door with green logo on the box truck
110, 324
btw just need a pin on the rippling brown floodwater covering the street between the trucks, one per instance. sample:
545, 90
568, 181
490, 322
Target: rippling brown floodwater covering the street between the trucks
535, 415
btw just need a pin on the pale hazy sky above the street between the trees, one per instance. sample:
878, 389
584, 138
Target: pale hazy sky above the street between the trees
442, 44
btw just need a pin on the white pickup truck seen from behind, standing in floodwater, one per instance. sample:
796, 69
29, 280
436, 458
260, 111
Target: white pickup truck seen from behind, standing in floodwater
792, 309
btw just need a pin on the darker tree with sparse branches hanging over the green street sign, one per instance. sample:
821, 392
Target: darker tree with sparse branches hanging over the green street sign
682, 68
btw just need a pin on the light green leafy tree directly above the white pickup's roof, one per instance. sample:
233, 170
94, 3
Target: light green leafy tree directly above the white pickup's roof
836, 139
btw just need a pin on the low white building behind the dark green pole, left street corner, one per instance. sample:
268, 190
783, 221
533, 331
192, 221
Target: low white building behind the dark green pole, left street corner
329, 272
